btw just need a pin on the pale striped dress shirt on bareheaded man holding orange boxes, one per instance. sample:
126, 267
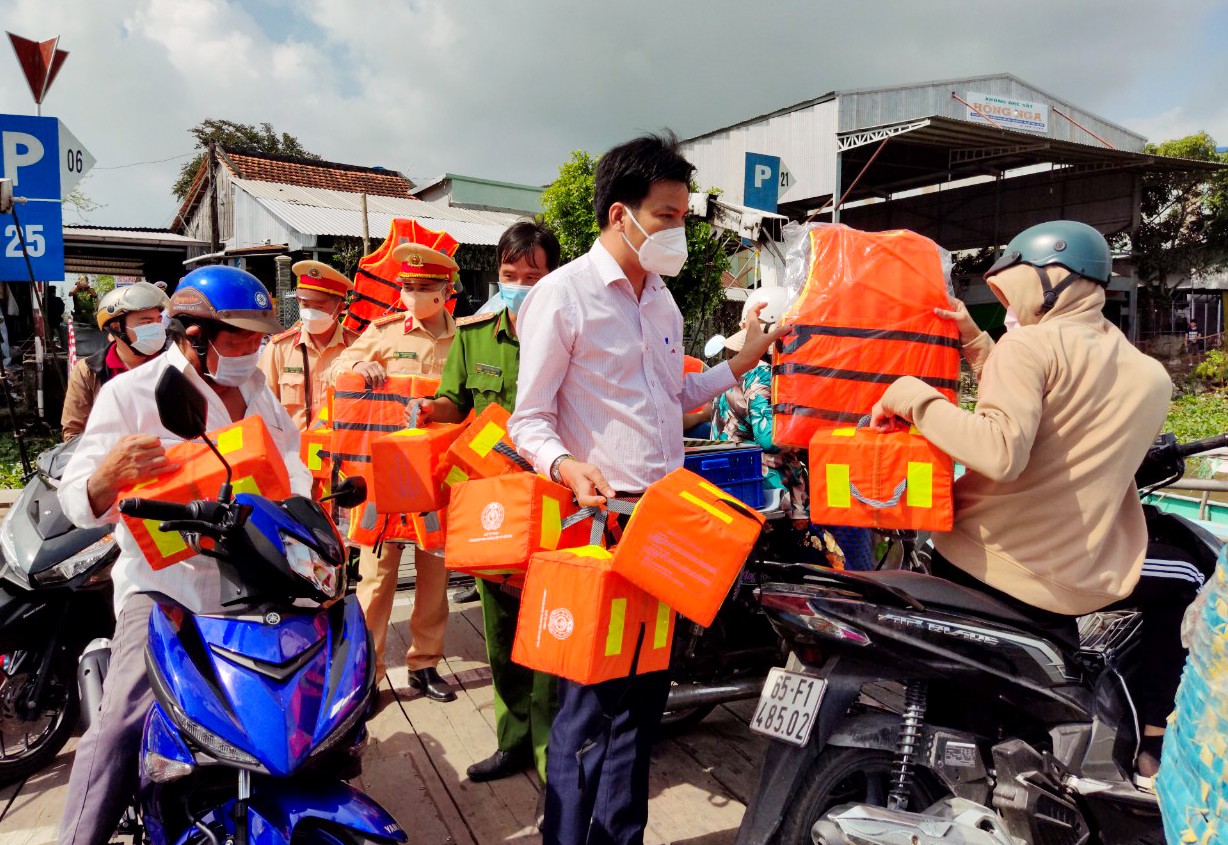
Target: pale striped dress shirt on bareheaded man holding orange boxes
602, 374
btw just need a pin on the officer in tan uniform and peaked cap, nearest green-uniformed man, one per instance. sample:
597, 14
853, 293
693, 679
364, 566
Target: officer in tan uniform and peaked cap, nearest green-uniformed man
413, 343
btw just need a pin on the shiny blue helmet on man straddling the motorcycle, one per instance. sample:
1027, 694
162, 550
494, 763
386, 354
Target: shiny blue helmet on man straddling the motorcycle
227, 295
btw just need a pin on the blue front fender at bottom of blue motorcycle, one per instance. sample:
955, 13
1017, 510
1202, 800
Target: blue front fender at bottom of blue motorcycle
278, 808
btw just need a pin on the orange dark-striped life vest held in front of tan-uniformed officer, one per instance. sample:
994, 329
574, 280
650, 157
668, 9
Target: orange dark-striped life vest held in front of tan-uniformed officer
362, 415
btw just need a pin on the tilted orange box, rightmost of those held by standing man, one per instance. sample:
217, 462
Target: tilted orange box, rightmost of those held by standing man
687, 542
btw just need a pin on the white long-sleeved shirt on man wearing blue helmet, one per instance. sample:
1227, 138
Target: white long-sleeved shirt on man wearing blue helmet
127, 406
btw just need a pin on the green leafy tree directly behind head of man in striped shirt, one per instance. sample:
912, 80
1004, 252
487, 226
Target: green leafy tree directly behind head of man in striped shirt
569, 212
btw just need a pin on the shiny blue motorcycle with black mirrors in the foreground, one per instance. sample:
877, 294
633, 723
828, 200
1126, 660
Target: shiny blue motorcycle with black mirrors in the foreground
260, 711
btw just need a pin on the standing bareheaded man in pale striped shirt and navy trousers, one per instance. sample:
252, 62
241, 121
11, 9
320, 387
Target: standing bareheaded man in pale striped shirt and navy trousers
600, 408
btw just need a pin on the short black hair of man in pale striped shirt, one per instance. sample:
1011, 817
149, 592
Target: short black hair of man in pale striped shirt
626, 174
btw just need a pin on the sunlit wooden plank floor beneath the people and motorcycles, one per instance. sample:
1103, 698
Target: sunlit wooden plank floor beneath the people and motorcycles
419, 752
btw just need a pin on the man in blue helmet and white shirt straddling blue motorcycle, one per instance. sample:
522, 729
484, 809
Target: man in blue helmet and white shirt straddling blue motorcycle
224, 315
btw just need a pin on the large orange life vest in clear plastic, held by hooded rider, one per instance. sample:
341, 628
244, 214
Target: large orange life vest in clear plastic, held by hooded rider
865, 319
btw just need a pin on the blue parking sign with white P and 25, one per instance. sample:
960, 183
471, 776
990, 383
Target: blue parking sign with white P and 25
30, 159
